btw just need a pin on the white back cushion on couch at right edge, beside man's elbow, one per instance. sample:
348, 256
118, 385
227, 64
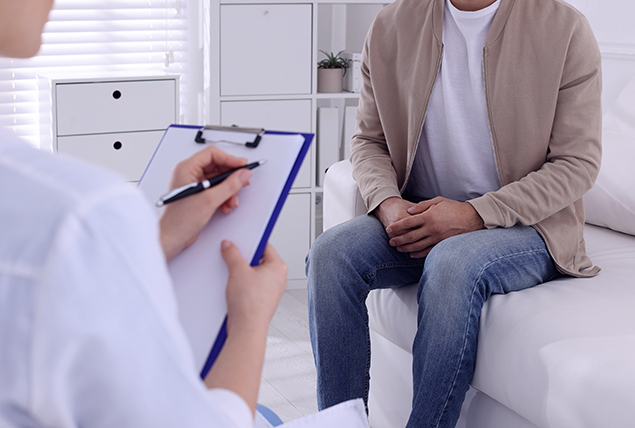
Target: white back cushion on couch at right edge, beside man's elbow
611, 201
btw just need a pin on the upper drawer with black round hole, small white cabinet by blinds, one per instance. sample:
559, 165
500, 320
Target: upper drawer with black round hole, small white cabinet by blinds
93, 108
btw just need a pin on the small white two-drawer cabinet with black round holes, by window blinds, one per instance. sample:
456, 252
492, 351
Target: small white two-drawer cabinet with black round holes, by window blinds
112, 122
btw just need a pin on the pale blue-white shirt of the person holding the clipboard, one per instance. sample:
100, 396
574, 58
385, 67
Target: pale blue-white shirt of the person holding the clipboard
89, 332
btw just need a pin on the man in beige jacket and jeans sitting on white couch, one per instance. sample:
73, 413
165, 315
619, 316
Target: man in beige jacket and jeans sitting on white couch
478, 133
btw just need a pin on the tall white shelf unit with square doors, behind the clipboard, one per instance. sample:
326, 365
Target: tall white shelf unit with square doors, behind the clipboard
263, 59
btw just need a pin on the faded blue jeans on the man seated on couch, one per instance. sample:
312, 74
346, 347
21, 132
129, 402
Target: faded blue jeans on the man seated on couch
455, 280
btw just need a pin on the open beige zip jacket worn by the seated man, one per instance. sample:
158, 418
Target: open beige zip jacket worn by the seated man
542, 70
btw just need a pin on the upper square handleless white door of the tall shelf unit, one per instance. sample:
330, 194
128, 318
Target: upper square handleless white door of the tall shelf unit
266, 49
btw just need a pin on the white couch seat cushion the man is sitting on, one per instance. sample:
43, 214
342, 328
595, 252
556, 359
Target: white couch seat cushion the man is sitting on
559, 354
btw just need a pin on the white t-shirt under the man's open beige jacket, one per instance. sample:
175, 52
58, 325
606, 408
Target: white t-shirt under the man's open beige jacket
455, 155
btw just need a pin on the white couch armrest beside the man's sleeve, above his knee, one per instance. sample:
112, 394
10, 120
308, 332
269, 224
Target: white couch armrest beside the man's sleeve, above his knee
342, 200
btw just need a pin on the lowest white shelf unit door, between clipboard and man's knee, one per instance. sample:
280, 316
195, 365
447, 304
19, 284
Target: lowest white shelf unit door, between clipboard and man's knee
291, 235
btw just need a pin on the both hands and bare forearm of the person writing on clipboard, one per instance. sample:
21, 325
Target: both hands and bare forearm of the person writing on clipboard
252, 293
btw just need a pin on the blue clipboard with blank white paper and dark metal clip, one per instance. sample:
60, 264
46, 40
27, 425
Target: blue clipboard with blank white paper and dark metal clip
199, 273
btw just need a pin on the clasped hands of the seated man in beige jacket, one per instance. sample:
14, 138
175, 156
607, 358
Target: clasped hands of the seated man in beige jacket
430, 222
